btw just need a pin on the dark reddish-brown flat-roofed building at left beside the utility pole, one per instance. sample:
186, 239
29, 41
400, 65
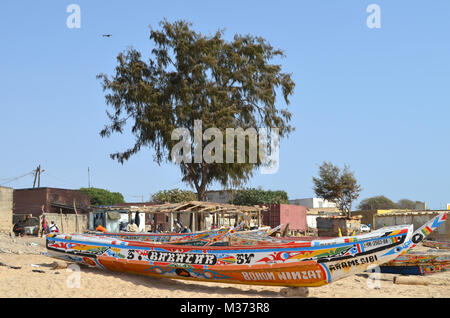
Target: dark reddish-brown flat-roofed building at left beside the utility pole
35, 201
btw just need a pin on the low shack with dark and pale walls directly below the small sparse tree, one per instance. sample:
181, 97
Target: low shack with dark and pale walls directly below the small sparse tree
336, 226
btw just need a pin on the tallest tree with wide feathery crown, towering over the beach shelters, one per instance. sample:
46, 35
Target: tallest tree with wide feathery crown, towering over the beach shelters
190, 76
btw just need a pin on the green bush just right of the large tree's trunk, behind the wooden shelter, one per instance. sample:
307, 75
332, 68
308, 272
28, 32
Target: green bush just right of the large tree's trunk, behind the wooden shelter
258, 196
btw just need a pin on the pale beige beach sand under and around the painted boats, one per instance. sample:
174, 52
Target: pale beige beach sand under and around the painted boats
95, 283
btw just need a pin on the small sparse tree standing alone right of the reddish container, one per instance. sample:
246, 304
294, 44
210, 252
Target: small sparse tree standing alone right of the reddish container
336, 185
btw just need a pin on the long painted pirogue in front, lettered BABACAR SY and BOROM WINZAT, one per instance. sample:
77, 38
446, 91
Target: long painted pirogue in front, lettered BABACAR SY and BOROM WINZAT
312, 263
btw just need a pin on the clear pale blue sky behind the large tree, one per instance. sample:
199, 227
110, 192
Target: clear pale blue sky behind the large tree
375, 99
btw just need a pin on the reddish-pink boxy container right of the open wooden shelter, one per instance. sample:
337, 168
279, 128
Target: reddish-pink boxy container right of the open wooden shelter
293, 214
